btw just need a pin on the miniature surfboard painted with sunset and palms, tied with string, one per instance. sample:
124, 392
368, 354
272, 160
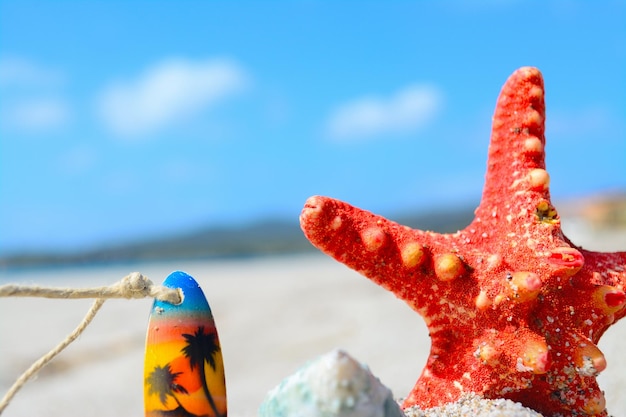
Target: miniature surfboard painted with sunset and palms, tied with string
183, 368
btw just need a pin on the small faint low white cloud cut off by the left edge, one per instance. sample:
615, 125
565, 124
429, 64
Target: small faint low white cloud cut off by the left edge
35, 114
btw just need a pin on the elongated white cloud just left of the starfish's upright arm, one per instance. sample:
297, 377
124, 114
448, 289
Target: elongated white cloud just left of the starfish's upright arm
408, 110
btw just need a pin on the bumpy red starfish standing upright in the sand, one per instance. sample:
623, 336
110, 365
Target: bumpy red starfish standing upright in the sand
514, 309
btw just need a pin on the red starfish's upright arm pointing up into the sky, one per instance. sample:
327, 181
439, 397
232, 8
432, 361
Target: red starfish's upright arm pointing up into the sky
515, 212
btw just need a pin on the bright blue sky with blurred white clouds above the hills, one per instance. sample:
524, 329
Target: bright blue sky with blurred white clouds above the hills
123, 120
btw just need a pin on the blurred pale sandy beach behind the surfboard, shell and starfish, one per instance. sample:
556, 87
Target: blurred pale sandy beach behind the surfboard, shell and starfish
273, 315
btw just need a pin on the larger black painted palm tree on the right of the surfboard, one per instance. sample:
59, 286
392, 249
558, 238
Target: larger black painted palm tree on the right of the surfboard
203, 347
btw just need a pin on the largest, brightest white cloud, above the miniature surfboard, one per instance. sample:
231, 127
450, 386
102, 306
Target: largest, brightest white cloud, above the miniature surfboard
167, 92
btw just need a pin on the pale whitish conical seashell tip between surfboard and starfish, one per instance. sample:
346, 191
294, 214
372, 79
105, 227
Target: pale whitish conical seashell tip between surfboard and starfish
333, 385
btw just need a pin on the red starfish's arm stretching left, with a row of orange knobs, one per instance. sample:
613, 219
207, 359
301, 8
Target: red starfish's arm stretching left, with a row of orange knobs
384, 251
